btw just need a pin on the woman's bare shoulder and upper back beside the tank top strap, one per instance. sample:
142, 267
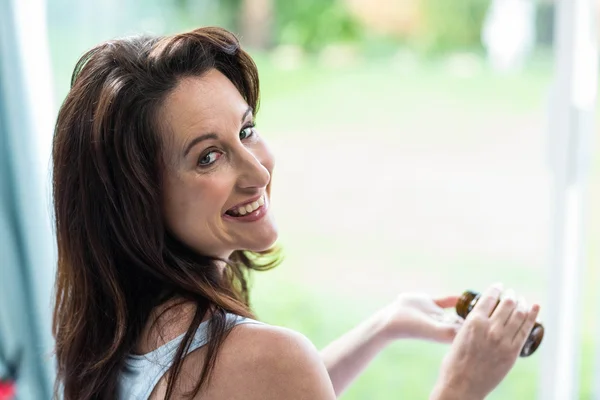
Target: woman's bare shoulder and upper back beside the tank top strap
263, 362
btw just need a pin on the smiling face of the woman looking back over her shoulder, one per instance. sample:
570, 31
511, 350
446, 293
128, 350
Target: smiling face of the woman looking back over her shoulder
217, 169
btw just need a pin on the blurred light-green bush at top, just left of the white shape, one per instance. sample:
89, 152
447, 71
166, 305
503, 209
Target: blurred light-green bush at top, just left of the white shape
451, 25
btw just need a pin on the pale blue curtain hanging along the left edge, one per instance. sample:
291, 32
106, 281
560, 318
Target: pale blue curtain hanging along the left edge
27, 255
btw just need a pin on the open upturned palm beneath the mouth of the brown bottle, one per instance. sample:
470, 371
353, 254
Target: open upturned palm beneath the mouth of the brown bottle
419, 316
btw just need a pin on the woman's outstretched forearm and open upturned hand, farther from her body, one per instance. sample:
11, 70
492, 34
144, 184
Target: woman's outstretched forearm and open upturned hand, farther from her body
411, 315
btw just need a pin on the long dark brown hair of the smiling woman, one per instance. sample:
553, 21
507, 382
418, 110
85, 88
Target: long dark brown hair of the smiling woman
116, 259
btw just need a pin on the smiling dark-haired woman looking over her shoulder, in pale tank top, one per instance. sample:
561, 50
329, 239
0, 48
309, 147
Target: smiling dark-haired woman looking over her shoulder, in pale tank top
161, 190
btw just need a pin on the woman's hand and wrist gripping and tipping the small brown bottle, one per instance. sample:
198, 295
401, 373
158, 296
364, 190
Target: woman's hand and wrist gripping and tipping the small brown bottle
486, 347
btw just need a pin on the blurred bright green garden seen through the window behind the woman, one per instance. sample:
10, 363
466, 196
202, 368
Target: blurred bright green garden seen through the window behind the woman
405, 162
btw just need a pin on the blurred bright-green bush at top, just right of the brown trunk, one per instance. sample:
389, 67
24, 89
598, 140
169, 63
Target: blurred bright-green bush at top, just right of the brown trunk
312, 24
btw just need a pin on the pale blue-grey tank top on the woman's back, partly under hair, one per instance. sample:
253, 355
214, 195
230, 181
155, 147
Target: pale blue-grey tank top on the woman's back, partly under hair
141, 373
